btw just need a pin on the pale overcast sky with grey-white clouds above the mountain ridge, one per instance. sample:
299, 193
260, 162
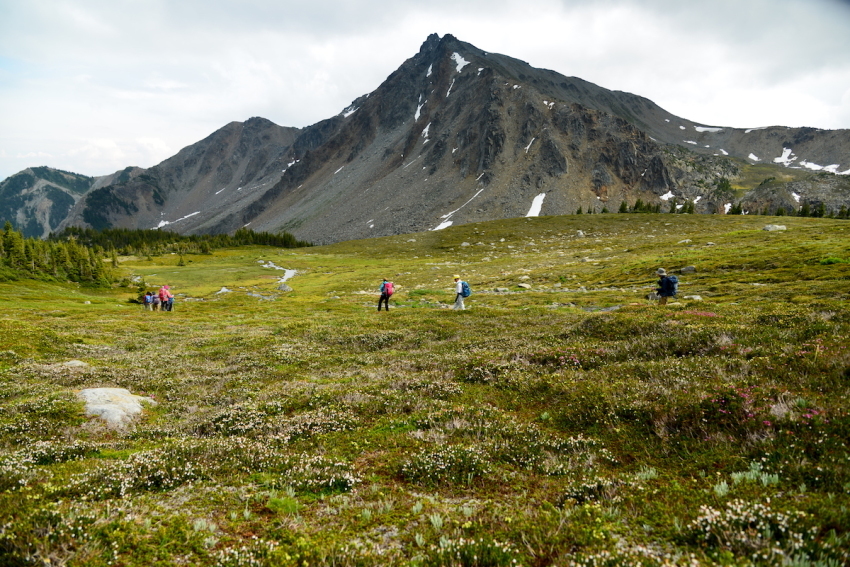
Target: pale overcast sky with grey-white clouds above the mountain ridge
92, 86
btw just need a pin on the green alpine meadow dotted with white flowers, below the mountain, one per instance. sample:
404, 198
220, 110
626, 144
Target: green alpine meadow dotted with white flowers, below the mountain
572, 422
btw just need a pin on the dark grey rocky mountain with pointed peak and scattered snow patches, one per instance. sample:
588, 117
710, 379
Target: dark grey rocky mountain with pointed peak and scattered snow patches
459, 135
